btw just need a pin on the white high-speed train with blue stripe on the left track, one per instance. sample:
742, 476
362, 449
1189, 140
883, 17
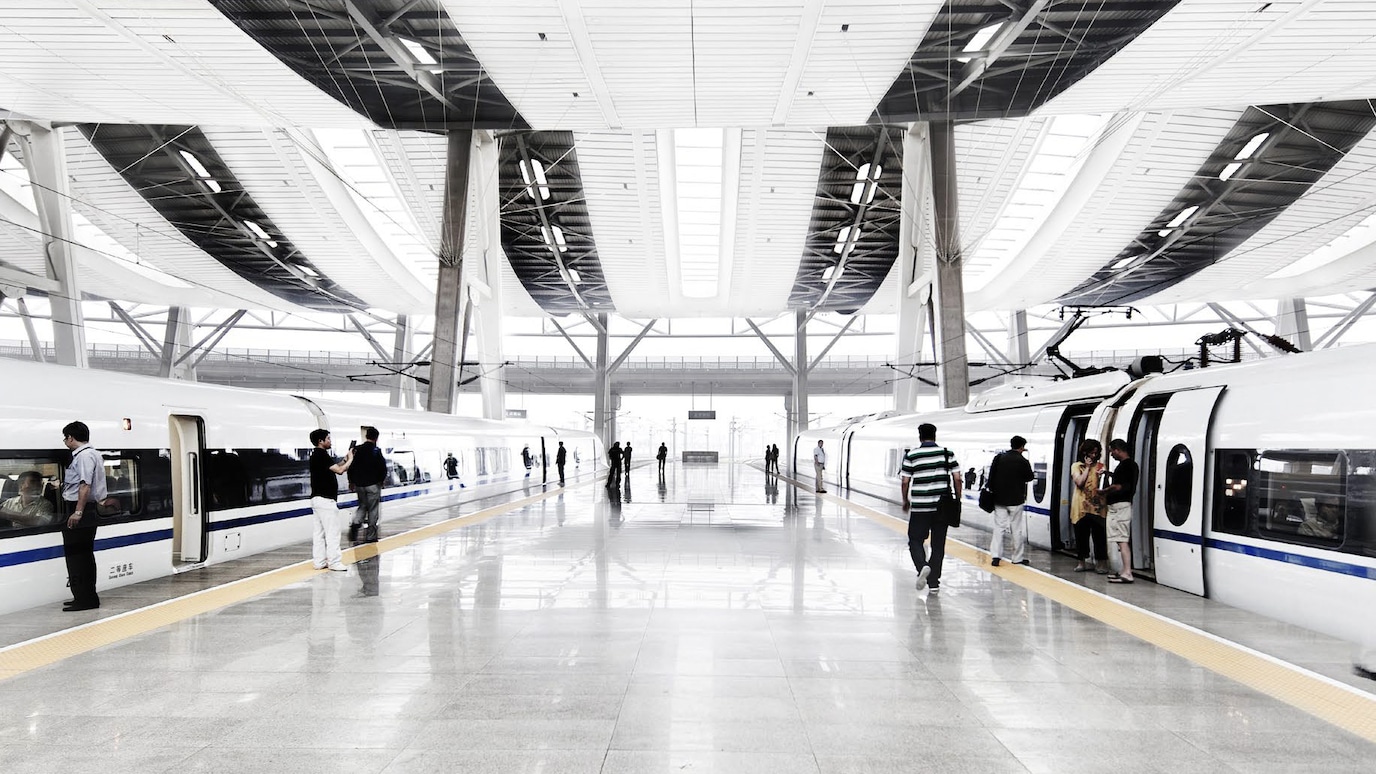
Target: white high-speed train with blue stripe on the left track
200, 474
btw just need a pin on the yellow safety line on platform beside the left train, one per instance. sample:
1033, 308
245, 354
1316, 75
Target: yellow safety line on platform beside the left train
50, 649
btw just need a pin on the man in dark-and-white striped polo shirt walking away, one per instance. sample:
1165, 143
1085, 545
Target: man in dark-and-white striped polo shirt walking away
927, 474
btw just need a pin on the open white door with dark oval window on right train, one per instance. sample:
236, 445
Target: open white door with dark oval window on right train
1179, 487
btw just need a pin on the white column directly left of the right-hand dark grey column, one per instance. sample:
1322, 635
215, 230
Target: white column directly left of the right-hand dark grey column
914, 289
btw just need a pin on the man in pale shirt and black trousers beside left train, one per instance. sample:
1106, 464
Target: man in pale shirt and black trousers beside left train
83, 490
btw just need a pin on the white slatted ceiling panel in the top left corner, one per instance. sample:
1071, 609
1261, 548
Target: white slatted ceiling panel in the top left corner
149, 63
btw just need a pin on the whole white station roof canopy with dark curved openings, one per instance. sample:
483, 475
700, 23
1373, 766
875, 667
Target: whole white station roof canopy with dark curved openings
697, 159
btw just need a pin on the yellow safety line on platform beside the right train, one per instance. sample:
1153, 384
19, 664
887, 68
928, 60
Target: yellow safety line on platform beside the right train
1323, 698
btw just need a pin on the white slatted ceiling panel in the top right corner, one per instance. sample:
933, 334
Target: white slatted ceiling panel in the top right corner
1238, 53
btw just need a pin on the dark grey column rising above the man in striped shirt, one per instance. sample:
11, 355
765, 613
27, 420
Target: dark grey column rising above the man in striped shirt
953, 364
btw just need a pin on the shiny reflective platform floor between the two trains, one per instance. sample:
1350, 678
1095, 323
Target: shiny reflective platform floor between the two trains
718, 620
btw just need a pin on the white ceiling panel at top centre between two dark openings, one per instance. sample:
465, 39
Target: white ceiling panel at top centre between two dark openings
667, 64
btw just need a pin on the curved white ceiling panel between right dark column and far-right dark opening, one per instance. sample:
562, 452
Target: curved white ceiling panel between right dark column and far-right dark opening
1161, 156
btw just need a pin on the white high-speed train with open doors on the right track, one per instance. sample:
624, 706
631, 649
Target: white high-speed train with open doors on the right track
1258, 480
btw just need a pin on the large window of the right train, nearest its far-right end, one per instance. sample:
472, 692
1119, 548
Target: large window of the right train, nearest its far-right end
1301, 496
